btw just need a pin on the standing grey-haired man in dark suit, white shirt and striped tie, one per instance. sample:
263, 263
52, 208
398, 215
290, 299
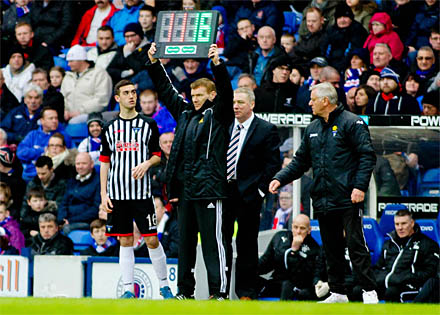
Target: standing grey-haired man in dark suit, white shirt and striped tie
252, 160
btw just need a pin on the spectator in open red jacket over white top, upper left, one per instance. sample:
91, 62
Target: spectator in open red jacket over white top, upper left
92, 20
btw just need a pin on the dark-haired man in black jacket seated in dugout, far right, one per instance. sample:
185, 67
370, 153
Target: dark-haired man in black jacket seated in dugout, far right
408, 259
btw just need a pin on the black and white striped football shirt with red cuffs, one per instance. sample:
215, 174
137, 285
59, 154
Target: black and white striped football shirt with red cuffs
125, 144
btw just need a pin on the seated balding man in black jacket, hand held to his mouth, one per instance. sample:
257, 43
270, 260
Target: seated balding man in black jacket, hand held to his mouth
292, 256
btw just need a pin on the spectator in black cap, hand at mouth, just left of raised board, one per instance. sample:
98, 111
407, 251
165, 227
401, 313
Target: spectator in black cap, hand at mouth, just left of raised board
130, 58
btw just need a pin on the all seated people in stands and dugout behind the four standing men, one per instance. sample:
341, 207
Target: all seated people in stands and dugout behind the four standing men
60, 61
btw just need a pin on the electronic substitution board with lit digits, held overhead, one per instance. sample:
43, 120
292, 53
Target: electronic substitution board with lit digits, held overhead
185, 34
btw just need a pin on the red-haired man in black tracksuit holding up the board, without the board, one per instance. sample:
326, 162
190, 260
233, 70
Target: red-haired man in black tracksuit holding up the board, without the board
196, 170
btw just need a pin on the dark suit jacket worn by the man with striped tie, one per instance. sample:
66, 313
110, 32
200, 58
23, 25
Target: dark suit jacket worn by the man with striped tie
259, 159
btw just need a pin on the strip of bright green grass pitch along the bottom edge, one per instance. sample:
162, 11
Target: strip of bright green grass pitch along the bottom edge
101, 306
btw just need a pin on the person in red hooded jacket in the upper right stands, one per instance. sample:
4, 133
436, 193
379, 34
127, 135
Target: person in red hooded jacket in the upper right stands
381, 31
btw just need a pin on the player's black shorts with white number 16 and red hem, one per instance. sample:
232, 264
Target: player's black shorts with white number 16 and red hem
120, 220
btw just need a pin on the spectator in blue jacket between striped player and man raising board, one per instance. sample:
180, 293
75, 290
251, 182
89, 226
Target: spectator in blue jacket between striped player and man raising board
150, 107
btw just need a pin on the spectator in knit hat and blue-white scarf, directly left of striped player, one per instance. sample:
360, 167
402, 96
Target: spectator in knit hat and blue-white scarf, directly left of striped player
92, 143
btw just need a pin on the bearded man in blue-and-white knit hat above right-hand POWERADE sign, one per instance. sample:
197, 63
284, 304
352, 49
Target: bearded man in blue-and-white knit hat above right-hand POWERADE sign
390, 100
